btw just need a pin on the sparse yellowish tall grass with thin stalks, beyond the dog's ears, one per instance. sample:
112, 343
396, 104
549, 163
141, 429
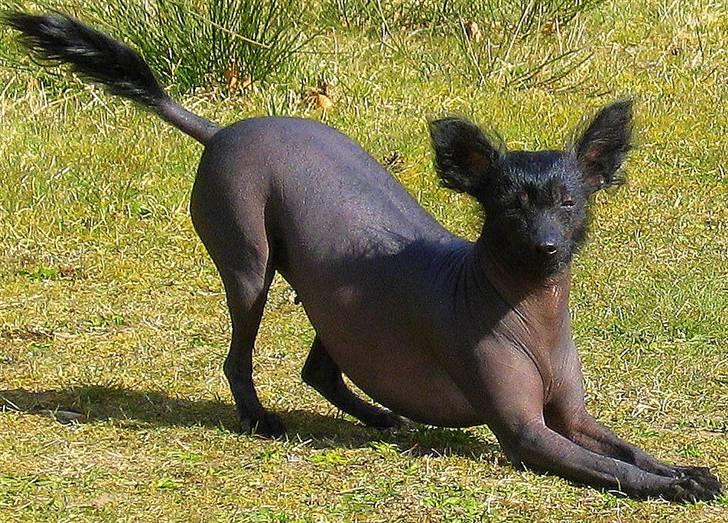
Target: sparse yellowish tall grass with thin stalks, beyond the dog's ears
519, 43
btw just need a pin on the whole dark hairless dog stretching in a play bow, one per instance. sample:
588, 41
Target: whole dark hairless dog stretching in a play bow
438, 329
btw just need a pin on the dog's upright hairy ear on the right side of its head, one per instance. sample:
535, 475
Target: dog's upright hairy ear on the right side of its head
603, 146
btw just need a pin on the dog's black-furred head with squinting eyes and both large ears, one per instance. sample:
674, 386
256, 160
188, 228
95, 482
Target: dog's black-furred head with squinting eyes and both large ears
535, 203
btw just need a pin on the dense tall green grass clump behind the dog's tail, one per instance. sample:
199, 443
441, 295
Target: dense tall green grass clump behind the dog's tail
193, 43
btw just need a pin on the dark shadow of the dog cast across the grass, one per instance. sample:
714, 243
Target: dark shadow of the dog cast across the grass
139, 409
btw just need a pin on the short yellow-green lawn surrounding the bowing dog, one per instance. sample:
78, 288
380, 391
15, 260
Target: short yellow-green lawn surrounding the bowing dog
109, 306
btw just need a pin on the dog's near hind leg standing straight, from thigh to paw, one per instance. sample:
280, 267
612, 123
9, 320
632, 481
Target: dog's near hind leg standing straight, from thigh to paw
234, 232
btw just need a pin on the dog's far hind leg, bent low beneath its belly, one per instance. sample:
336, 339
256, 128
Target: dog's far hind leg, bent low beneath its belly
324, 375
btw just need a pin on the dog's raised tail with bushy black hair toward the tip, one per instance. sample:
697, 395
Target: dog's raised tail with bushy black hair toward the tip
57, 38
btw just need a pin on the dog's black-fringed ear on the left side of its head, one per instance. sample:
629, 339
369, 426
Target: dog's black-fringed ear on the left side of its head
464, 156
